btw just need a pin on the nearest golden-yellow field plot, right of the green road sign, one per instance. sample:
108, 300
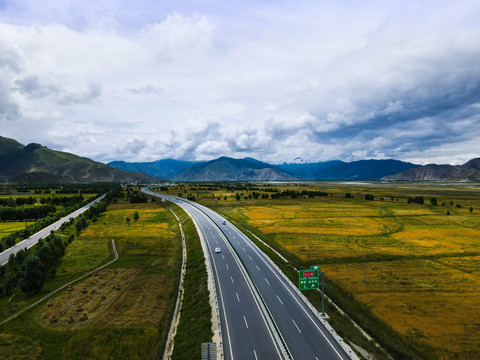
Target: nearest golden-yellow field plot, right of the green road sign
422, 298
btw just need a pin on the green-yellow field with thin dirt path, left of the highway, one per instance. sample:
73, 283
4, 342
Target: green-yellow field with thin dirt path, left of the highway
122, 312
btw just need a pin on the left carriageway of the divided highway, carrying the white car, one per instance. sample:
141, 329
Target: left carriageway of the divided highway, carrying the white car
245, 330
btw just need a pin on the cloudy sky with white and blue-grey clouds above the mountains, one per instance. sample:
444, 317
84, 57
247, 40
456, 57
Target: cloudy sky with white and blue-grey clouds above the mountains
281, 81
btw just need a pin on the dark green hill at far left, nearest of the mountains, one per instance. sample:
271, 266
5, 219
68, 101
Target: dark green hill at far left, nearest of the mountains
35, 163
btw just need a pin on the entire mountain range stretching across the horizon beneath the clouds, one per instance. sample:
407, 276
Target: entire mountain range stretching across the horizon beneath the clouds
35, 163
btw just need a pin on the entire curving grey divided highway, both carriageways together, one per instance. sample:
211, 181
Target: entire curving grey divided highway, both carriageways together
298, 326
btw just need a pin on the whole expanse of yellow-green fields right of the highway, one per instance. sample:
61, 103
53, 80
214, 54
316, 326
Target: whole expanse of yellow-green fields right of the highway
422, 274
